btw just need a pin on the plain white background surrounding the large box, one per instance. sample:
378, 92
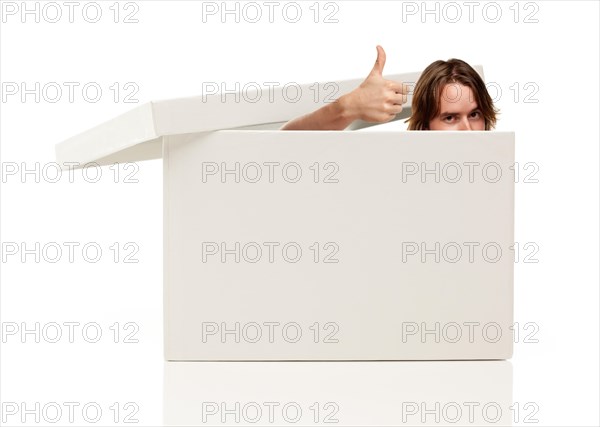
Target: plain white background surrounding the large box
169, 53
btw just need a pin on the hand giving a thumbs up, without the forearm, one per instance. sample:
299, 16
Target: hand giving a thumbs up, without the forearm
377, 99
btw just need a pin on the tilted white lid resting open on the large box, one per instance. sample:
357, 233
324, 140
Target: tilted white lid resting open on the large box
136, 134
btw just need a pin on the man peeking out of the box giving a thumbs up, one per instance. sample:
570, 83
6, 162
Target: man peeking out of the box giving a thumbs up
449, 95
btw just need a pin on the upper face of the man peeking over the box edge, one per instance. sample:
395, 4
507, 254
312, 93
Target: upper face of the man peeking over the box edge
458, 110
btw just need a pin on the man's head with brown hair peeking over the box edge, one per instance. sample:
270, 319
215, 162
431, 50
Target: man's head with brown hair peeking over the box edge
450, 95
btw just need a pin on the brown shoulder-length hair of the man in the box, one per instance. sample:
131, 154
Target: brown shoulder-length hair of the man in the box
428, 91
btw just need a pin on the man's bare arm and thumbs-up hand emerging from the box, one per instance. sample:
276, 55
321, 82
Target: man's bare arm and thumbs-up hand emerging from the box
376, 100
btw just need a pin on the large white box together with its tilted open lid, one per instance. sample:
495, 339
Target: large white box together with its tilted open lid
309, 245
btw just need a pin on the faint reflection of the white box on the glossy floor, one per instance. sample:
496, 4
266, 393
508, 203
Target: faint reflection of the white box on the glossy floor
441, 393
